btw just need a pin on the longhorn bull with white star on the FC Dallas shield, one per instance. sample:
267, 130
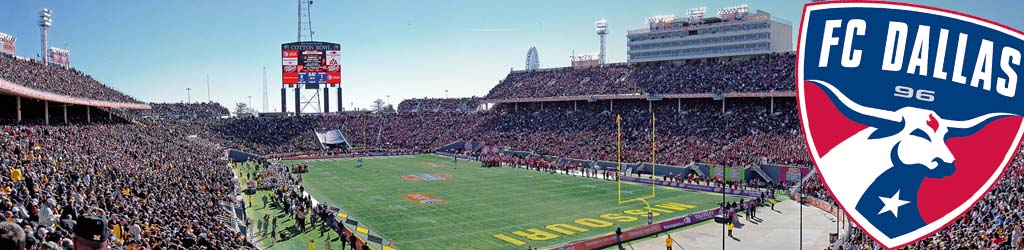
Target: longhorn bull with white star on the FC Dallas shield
910, 145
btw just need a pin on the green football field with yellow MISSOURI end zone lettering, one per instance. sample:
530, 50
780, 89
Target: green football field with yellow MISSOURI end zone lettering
423, 202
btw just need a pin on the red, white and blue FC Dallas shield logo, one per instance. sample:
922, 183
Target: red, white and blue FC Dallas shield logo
911, 113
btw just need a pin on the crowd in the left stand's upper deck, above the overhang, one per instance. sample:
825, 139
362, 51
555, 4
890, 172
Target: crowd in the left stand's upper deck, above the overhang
57, 79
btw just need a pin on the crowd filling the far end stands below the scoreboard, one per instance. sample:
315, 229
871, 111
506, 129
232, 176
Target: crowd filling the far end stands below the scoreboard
266, 136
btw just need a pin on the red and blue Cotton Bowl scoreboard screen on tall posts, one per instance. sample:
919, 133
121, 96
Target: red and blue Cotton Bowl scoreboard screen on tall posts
311, 63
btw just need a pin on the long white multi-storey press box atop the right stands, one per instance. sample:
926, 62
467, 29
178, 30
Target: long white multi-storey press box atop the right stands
736, 32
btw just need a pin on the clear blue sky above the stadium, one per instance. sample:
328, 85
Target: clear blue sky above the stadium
155, 50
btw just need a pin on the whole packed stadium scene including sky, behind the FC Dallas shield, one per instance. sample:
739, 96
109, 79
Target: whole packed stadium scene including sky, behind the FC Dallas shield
679, 132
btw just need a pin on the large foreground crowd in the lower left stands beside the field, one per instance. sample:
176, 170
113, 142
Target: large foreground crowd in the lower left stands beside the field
53, 176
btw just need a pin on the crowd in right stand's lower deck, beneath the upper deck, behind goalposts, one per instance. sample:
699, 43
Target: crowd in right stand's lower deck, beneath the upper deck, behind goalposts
688, 133
